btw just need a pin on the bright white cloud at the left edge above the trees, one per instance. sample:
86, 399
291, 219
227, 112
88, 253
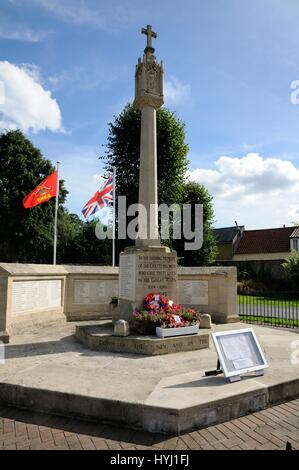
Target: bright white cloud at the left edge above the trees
27, 105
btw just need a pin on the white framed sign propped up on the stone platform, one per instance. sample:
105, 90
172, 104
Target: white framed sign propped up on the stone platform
239, 352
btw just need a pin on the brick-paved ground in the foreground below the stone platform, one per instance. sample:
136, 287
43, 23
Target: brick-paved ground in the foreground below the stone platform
268, 429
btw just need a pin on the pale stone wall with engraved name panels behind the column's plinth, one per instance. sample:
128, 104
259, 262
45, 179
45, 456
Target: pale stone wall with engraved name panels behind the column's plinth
32, 294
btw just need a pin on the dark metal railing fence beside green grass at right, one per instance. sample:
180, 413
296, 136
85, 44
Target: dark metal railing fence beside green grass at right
275, 309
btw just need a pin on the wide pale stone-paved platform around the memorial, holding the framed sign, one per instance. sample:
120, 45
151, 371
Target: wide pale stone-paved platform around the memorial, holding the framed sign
47, 370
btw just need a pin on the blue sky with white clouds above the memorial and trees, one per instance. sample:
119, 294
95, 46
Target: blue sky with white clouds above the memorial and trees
68, 66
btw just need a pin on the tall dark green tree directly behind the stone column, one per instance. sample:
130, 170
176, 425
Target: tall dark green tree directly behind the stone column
123, 152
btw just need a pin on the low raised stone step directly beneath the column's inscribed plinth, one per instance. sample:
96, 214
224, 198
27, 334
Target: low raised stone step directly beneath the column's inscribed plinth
100, 338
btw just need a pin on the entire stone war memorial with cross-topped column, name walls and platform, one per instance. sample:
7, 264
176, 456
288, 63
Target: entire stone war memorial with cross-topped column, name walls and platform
69, 348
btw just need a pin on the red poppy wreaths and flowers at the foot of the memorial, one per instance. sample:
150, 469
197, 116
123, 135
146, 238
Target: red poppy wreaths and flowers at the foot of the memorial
159, 311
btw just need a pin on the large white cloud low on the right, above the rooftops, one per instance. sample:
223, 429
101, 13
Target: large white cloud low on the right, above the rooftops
256, 191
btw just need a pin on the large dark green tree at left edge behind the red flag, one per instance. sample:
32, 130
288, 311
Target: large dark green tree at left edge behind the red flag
26, 235
